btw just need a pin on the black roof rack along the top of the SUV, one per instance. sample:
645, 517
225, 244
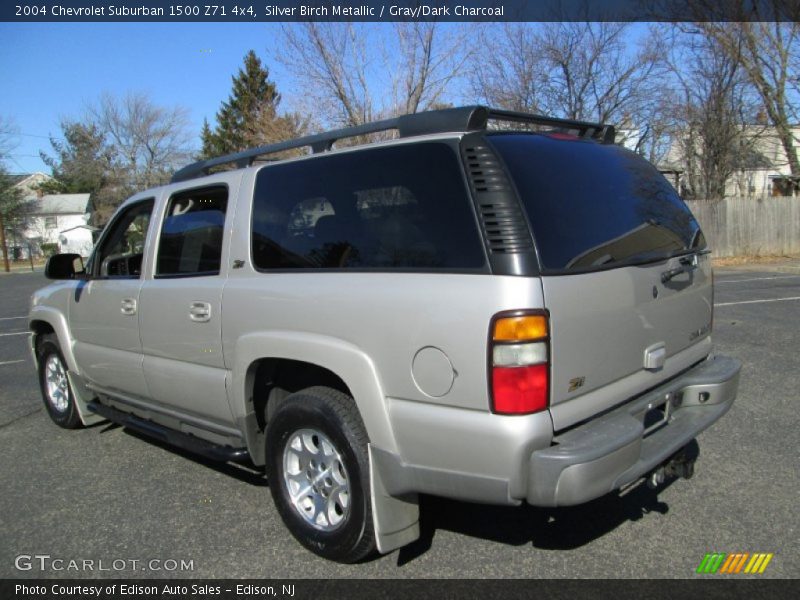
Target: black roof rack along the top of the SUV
466, 119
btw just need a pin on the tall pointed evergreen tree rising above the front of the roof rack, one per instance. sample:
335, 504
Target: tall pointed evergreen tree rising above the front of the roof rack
250, 116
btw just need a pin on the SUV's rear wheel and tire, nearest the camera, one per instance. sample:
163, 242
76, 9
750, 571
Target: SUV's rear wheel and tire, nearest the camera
318, 472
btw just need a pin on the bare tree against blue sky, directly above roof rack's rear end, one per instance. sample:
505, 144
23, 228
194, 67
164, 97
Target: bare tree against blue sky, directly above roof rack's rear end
576, 70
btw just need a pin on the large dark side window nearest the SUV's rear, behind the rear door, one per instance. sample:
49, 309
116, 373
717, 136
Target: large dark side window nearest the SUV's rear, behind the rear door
403, 207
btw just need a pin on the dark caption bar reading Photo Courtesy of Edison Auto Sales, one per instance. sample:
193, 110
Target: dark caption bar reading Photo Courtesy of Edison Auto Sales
701, 588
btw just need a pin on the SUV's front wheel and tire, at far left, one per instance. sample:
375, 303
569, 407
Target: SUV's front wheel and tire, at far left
56, 390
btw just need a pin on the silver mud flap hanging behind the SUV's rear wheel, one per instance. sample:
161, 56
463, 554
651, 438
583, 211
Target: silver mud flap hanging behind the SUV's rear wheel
396, 519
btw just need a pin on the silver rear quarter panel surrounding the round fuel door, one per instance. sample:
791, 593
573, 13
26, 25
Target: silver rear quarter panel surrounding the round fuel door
386, 318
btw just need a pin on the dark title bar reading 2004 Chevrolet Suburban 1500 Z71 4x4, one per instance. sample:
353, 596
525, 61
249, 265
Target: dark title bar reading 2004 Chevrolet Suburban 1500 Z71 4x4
247, 11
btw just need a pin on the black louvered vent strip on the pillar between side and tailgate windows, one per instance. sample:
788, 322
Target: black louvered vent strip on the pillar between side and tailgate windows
501, 217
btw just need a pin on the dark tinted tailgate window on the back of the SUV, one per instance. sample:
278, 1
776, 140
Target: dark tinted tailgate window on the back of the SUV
595, 206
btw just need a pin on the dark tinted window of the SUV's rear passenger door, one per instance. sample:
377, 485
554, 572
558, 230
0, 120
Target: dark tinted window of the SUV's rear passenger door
191, 237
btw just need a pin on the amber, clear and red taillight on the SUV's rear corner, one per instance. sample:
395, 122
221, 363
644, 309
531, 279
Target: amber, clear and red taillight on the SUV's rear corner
519, 350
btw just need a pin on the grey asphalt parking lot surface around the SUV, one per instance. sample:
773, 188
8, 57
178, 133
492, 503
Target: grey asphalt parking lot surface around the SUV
105, 494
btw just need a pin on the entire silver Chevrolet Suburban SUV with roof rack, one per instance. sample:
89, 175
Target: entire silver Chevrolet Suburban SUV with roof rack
491, 306
